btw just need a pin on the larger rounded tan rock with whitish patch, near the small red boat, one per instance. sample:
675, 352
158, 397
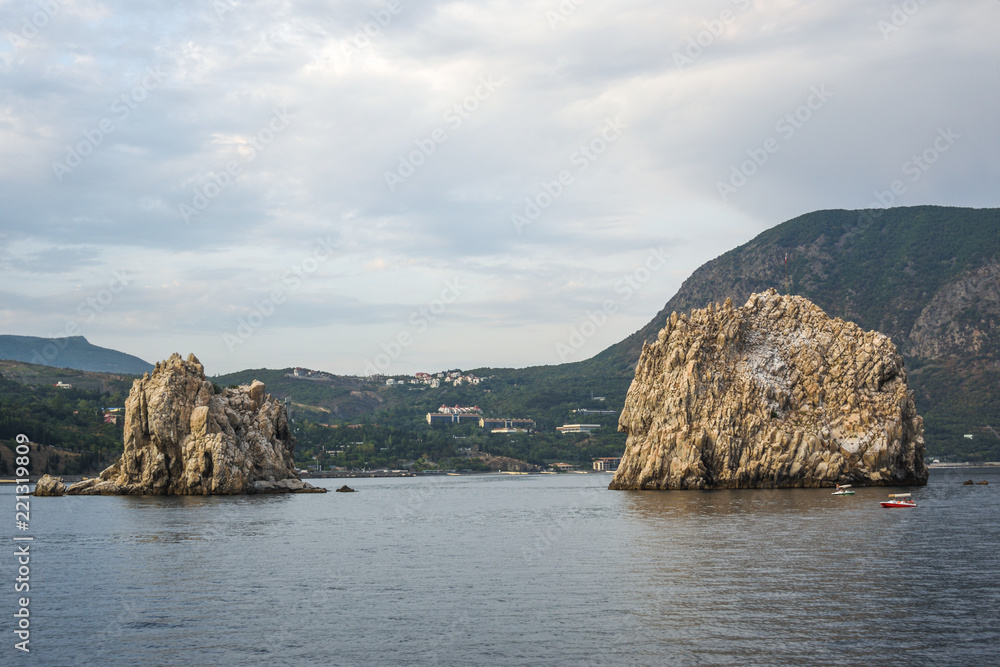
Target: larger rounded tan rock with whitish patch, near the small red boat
773, 394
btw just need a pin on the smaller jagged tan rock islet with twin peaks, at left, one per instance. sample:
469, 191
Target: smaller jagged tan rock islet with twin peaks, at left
183, 438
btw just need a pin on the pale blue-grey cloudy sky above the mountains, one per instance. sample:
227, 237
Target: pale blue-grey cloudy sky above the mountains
390, 187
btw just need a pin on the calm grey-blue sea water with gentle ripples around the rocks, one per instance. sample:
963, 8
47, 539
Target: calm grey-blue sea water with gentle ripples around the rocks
515, 570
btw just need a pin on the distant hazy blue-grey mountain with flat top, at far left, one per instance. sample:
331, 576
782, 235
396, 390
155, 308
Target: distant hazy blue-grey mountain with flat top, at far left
72, 352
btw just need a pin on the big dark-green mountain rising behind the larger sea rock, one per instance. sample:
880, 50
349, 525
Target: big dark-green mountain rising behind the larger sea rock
927, 276
